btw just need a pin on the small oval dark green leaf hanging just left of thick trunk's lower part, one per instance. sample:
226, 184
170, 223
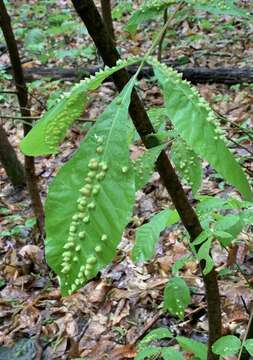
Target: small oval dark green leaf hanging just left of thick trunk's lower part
176, 296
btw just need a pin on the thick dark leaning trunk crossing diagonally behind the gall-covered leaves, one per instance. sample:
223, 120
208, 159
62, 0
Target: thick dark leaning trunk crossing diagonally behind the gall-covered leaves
87, 10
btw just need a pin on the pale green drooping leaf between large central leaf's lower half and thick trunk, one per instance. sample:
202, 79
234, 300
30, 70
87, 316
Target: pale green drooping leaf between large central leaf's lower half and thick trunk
147, 235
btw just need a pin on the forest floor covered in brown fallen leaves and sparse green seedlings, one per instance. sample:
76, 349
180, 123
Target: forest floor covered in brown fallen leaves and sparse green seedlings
107, 317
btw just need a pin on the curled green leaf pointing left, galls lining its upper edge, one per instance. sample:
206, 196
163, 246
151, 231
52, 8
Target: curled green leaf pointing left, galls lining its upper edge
48, 133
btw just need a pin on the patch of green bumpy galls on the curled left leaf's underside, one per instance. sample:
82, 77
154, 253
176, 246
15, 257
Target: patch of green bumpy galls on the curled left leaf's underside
60, 123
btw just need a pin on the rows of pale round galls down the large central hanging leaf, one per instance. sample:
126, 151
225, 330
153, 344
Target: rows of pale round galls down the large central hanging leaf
85, 205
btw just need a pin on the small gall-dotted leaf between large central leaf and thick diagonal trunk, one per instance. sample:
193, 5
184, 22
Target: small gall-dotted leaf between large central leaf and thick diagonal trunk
144, 166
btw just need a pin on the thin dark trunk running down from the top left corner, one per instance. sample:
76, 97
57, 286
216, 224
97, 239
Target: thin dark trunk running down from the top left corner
22, 95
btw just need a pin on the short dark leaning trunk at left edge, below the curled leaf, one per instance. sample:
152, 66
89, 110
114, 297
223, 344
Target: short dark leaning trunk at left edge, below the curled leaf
10, 162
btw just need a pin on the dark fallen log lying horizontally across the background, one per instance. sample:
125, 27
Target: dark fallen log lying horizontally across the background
195, 75
